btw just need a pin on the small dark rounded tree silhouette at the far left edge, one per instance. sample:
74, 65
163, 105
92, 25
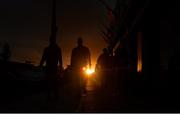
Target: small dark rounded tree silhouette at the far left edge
6, 52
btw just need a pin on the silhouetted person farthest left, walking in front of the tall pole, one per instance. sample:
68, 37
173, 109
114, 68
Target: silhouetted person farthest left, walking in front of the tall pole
53, 59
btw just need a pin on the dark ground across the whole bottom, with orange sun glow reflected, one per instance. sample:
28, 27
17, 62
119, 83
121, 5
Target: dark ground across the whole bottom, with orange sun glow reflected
97, 99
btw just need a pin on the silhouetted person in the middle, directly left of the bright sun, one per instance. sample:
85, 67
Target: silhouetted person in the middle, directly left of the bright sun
80, 58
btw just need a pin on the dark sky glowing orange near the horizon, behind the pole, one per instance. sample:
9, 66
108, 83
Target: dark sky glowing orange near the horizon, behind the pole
25, 25
